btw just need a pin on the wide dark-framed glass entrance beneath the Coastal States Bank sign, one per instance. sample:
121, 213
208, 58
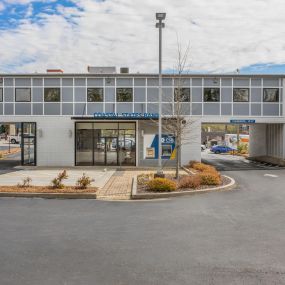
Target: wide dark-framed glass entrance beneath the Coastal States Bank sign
104, 143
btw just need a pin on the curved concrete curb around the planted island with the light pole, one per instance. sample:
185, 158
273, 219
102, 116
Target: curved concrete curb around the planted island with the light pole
231, 185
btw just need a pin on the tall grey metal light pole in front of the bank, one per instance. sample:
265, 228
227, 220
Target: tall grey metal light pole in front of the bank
160, 25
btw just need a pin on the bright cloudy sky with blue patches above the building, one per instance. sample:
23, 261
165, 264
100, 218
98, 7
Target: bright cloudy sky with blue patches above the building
223, 35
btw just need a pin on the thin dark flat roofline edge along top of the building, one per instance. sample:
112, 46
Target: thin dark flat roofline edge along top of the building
197, 75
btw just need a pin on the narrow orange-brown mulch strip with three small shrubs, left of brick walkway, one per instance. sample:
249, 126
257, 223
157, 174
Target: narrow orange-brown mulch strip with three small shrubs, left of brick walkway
45, 189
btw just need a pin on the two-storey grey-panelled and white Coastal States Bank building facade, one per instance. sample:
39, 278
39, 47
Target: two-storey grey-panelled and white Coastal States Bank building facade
110, 119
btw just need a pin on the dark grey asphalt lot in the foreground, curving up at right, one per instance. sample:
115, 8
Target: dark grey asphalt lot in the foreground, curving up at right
233, 237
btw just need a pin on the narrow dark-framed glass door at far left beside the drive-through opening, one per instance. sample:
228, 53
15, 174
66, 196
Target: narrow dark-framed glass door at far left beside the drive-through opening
28, 143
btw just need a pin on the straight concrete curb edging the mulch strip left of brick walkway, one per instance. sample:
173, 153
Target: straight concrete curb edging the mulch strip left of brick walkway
49, 195
